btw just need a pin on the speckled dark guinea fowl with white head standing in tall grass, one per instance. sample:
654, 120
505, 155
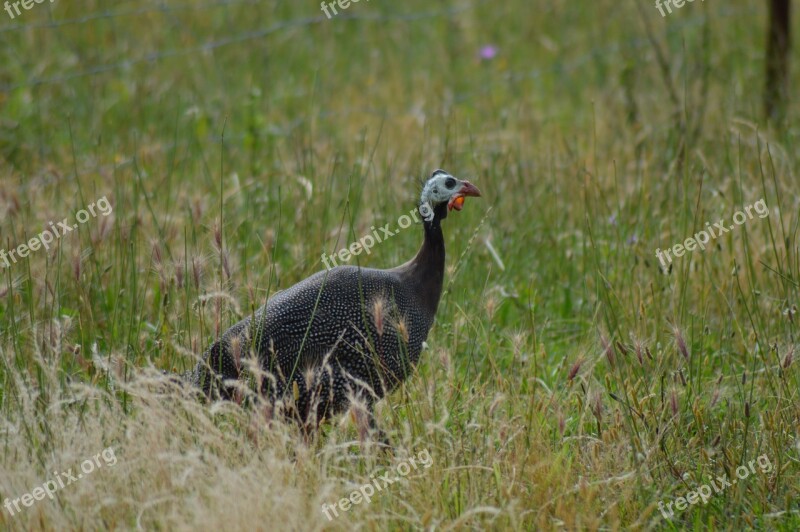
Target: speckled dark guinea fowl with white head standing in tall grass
345, 335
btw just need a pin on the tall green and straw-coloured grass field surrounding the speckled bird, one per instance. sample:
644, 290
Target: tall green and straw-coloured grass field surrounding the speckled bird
571, 381
